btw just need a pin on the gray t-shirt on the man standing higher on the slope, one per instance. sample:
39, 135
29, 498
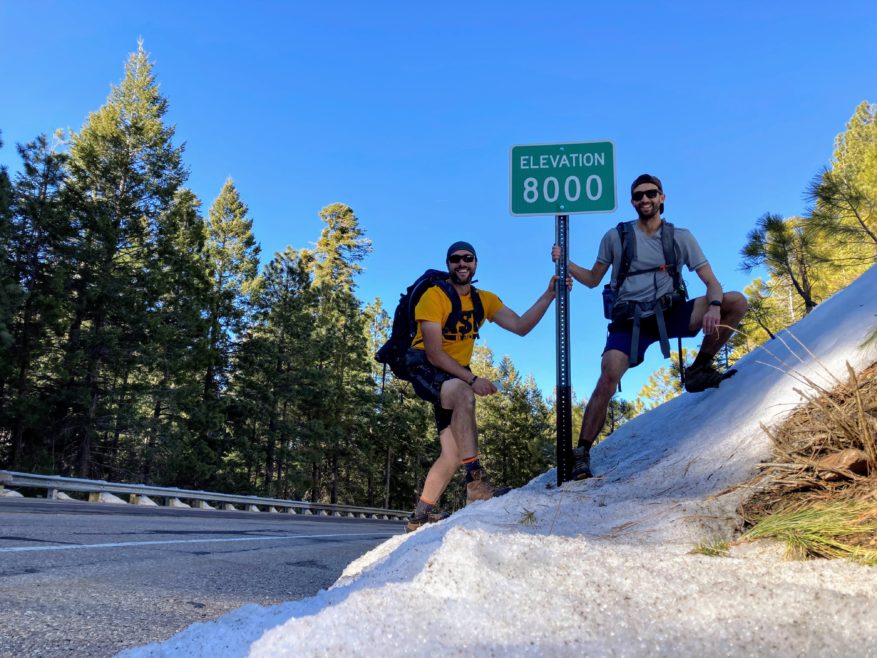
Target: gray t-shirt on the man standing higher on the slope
648, 254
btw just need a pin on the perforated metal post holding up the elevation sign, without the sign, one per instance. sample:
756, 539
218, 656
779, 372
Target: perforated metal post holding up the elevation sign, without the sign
563, 406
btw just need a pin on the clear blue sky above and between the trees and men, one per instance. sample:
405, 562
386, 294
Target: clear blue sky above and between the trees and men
407, 111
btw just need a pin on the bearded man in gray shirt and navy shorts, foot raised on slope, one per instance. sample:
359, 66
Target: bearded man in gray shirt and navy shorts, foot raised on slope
646, 290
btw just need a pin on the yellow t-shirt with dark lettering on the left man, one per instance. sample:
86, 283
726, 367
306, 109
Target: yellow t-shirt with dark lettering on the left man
434, 306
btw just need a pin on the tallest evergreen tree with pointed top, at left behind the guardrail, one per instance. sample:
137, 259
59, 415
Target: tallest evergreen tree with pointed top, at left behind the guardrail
123, 174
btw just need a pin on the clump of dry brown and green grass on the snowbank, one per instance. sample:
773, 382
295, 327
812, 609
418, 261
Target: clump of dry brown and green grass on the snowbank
819, 494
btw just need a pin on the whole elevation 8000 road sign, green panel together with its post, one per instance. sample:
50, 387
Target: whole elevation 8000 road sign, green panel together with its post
562, 180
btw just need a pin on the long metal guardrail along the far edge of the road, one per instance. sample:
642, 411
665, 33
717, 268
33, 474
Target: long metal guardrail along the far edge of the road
142, 494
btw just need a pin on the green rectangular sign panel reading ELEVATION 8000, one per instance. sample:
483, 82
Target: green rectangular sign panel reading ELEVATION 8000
562, 179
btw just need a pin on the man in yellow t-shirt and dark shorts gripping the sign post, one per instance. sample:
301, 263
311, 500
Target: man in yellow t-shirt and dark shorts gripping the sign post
439, 369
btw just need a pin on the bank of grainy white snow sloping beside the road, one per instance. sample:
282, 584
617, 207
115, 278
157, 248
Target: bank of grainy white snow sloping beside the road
603, 567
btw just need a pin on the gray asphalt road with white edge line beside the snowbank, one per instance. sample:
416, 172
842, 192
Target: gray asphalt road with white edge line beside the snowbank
88, 579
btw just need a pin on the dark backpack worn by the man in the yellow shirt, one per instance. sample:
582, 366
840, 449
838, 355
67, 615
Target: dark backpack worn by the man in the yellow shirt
393, 352
